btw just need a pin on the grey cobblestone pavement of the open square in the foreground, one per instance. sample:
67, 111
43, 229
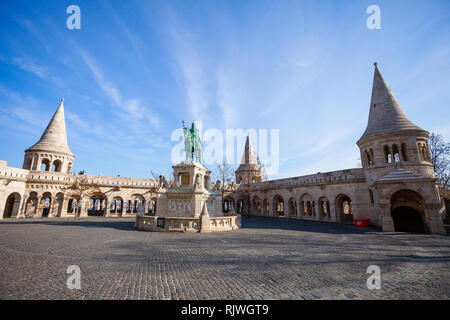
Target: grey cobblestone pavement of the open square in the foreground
267, 259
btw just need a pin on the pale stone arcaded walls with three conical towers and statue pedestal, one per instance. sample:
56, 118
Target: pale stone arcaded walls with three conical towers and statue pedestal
395, 188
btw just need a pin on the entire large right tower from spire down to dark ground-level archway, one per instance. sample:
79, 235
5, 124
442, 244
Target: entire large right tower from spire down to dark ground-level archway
397, 166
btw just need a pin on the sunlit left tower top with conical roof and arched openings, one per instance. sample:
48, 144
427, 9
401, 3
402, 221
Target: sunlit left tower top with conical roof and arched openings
51, 152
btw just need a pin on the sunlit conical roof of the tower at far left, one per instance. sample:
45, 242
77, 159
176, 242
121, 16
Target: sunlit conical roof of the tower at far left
54, 138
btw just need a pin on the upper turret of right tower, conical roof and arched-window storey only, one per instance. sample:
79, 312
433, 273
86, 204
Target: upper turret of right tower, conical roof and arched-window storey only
391, 139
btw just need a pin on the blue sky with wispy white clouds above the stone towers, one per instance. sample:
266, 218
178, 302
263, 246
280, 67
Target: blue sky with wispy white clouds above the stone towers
136, 69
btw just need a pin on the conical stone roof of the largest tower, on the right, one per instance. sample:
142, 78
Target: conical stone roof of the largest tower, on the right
386, 114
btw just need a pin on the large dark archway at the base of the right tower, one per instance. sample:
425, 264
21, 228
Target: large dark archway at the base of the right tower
407, 211
